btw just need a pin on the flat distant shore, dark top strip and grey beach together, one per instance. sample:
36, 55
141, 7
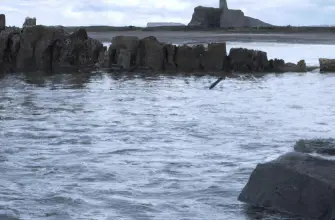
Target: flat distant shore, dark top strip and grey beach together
198, 35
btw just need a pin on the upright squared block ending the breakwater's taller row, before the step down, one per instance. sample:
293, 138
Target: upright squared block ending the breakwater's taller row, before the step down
214, 58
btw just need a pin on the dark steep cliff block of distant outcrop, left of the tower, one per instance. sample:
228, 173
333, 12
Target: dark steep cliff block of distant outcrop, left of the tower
206, 17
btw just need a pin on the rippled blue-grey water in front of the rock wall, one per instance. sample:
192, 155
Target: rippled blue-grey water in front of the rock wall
124, 148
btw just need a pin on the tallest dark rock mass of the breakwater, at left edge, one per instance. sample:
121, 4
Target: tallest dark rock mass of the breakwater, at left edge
48, 49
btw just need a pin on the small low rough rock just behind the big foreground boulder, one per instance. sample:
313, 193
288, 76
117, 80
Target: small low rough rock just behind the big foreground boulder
320, 146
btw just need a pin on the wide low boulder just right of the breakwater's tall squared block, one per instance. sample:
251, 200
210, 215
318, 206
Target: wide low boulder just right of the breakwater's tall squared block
247, 61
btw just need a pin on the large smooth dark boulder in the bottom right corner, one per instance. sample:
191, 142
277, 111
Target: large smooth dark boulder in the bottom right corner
295, 183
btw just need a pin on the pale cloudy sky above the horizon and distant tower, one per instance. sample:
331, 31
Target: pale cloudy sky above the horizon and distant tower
139, 12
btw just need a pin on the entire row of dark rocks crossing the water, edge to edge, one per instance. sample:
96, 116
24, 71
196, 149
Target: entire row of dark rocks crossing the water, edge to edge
52, 49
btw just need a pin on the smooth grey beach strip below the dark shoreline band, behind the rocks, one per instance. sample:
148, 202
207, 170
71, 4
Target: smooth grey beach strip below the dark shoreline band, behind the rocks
178, 37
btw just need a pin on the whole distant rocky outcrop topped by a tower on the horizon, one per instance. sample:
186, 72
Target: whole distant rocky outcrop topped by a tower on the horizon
209, 17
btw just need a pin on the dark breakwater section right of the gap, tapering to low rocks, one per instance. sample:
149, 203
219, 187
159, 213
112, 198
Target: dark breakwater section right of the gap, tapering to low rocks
131, 53
